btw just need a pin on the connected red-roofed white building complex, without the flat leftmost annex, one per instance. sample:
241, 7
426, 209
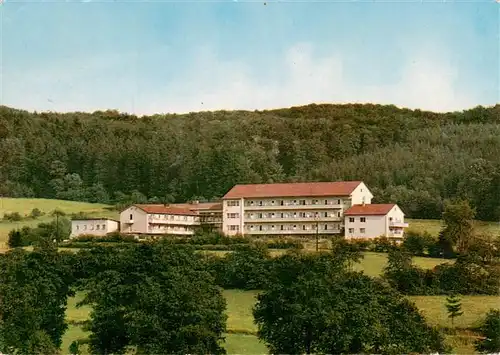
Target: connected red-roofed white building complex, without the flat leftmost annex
300, 209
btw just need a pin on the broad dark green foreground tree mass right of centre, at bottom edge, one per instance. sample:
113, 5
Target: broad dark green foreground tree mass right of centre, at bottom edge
320, 308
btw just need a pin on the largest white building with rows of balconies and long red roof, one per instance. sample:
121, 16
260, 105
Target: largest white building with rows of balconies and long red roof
294, 208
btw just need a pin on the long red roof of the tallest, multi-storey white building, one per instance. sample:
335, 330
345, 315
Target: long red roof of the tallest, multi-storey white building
338, 188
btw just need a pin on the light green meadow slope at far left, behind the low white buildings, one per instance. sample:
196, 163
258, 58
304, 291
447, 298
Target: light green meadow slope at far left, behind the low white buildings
25, 205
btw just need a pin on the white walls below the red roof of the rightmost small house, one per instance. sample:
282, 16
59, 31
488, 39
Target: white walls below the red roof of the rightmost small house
390, 225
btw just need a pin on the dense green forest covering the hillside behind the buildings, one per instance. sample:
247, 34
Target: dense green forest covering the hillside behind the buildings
414, 158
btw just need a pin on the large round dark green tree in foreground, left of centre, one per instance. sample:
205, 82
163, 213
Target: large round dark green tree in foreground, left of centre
157, 298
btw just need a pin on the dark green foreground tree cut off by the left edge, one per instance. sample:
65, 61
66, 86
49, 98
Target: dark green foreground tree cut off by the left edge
34, 287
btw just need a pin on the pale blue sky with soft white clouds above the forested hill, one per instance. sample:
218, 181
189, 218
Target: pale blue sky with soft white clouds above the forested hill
147, 57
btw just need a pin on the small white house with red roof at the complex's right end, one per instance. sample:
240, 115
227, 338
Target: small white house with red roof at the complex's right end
375, 220
